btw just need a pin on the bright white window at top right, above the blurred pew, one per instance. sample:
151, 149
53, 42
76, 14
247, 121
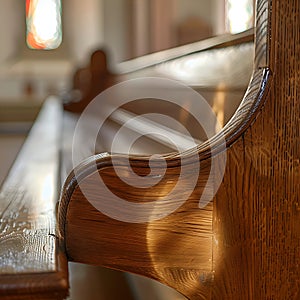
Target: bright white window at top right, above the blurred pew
239, 15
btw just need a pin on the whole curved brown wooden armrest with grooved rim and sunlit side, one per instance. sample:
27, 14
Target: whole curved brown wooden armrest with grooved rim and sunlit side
176, 250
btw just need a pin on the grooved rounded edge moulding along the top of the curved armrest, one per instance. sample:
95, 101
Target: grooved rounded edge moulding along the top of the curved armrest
243, 118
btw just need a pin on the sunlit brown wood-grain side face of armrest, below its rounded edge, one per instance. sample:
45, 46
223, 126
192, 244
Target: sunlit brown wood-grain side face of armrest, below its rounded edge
157, 249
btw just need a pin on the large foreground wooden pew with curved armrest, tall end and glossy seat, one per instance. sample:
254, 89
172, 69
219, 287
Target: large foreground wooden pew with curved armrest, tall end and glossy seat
244, 244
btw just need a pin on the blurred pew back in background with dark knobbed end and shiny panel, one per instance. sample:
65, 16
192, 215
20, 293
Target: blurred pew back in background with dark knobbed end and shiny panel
219, 64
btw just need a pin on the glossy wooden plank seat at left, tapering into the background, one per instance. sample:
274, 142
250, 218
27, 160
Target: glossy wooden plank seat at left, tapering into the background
31, 264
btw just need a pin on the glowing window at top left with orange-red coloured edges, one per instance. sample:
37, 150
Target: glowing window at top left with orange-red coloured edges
43, 23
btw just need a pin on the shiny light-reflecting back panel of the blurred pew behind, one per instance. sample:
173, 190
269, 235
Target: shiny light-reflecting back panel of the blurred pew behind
222, 69
